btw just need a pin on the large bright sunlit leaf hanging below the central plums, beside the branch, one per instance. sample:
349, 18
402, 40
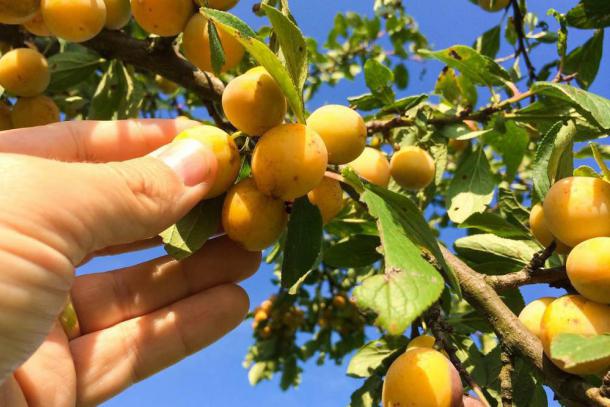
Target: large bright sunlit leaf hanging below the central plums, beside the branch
410, 284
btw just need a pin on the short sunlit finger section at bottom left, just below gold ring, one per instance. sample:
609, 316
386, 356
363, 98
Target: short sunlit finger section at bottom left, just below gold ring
48, 378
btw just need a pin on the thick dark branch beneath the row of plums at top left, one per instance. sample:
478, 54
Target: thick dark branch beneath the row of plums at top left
154, 56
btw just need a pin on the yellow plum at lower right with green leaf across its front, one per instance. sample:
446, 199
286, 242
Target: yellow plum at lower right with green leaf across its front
574, 314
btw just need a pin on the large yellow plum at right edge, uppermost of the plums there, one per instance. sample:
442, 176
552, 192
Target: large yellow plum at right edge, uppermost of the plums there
577, 209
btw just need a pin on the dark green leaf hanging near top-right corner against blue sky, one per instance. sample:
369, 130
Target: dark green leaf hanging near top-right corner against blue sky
585, 60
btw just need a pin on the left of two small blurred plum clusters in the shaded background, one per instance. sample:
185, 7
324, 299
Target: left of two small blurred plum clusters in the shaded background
272, 316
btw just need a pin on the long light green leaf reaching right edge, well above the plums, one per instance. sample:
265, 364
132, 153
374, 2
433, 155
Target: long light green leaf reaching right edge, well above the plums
591, 106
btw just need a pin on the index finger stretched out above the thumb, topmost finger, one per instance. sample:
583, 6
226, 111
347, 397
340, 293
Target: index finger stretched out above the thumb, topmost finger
94, 141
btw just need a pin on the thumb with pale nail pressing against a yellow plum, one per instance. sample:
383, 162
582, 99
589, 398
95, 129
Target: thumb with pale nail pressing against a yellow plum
137, 199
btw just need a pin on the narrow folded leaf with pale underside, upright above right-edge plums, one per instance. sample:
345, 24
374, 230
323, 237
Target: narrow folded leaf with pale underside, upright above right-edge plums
547, 160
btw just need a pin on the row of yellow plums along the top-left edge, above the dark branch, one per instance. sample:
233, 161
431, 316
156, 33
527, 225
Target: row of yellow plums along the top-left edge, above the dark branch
81, 20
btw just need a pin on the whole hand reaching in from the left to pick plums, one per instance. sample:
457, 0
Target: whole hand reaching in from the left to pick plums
71, 191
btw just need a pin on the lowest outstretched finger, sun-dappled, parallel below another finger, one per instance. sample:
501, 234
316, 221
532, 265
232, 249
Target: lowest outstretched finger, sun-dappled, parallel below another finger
111, 360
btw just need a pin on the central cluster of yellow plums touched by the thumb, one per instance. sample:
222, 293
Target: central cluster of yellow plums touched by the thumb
290, 160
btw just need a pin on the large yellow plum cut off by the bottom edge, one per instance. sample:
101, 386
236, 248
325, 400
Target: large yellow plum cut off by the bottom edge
422, 377
